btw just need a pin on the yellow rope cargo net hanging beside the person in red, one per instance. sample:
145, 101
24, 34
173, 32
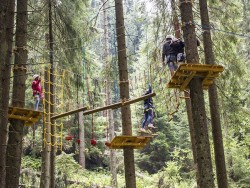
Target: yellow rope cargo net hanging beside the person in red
51, 106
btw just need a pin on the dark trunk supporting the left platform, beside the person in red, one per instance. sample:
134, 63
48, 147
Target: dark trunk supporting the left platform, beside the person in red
14, 148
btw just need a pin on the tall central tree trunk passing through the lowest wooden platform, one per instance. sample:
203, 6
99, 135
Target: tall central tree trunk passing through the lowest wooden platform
124, 94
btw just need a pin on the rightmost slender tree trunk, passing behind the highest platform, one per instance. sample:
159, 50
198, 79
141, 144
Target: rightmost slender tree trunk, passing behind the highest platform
213, 101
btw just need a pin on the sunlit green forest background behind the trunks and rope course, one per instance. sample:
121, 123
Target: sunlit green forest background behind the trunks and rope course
78, 28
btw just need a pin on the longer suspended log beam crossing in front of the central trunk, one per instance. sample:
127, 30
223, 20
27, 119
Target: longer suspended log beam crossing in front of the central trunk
119, 104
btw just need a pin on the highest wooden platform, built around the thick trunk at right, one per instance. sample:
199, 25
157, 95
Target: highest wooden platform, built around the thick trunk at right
186, 72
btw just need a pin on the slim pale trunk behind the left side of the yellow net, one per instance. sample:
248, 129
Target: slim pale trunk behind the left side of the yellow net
45, 174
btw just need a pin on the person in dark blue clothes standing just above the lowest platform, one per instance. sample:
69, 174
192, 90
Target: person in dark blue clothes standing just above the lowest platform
148, 111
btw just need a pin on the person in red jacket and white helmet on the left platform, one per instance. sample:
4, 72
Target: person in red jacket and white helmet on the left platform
37, 90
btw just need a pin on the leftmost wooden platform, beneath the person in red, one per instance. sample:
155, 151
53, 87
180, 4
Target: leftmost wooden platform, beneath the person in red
28, 115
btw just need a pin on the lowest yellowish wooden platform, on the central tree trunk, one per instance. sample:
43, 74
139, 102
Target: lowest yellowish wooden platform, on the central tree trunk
129, 142
